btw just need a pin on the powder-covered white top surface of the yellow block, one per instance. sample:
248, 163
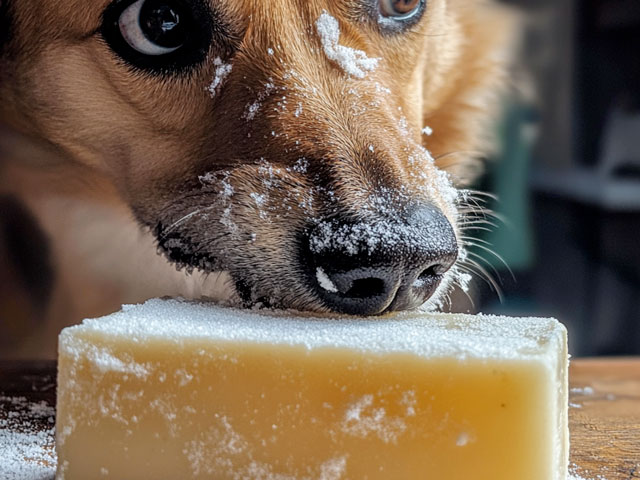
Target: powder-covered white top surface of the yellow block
428, 335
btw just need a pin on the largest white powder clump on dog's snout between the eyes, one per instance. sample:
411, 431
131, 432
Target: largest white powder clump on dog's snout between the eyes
353, 62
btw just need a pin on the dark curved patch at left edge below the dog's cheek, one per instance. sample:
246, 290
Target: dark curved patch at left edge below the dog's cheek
26, 249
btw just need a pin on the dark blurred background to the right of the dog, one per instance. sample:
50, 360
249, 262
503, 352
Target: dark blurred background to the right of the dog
568, 176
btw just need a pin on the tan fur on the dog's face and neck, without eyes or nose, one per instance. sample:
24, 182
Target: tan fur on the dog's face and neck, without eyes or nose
112, 152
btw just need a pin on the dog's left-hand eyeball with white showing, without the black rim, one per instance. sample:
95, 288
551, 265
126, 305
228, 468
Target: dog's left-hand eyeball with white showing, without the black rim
152, 27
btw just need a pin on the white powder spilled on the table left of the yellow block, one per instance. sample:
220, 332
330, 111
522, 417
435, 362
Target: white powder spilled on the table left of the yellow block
26, 448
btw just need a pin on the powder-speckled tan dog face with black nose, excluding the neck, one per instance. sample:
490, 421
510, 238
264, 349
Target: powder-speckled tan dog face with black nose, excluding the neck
270, 139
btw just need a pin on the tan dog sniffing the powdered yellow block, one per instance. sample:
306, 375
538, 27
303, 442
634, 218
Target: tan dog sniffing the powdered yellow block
298, 155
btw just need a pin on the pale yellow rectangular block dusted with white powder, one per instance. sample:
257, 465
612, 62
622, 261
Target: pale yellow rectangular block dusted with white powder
174, 390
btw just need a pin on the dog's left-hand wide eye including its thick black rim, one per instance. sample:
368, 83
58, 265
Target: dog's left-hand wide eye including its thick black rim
158, 34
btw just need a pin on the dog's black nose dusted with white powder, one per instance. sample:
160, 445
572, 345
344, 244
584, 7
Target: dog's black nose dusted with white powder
375, 266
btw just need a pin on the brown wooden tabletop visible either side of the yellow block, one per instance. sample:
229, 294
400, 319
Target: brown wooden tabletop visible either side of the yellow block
604, 411
